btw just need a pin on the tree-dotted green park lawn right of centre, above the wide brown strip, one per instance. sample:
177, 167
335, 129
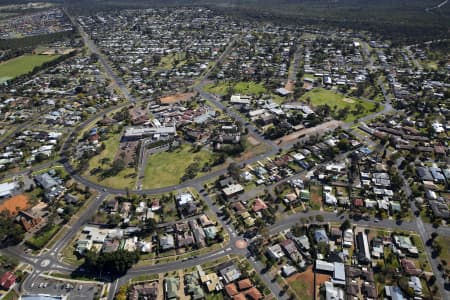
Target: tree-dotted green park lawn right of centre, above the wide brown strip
338, 101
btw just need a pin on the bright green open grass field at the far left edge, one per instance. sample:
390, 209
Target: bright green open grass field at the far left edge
22, 65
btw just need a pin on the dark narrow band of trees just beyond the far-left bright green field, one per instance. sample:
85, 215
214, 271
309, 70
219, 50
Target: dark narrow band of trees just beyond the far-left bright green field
33, 41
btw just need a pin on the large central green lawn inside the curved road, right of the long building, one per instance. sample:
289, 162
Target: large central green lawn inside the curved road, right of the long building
167, 168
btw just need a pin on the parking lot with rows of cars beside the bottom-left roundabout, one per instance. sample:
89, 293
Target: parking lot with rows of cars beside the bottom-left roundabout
56, 287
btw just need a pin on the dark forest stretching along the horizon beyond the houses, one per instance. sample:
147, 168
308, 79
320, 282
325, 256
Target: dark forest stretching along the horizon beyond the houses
401, 21
